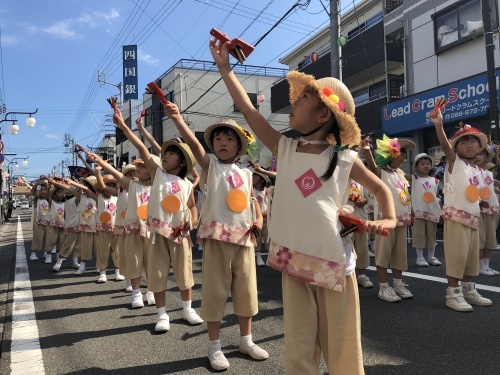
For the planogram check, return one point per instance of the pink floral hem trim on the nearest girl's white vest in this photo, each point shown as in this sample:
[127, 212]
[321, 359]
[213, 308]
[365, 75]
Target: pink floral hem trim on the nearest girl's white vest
[301, 266]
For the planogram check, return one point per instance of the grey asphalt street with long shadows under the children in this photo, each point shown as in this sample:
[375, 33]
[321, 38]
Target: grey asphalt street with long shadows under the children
[89, 328]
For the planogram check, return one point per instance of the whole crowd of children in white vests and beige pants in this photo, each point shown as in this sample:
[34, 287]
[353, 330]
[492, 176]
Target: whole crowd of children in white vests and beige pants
[143, 214]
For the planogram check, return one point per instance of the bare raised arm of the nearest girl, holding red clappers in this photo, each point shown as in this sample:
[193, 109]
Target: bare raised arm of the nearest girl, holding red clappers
[260, 126]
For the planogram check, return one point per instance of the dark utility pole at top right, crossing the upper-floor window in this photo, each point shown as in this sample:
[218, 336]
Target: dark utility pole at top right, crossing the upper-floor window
[490, 64]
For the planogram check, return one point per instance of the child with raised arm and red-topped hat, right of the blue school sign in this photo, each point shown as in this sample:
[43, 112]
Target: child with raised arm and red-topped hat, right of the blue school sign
[461, 212]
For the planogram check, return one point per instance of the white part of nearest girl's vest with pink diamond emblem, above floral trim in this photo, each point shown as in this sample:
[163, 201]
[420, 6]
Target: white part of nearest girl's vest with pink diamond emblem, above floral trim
[305, 209]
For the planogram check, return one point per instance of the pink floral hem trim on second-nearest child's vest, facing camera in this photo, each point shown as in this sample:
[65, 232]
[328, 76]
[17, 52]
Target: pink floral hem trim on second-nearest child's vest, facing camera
[226, 233]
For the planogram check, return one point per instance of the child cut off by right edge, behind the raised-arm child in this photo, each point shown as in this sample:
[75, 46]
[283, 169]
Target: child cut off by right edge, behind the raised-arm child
[490, 210]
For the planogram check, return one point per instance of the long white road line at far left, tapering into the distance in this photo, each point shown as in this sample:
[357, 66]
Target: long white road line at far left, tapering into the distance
[26, 355]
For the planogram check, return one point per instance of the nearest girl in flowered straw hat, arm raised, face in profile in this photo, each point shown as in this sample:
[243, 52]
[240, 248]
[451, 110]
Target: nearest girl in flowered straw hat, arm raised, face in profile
[320, 293]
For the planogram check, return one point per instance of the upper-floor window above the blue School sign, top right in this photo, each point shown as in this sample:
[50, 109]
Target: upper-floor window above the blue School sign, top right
[461, 22]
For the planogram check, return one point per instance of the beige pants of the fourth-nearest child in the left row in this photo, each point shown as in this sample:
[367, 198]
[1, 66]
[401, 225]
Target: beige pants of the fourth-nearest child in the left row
[136, 252]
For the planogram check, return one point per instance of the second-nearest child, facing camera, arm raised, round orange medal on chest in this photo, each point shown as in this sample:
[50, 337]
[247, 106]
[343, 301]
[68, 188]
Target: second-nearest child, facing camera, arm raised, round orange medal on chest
[229, 214]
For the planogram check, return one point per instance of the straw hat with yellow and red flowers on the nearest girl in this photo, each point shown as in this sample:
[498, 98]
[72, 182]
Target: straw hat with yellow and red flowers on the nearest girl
[336, 96]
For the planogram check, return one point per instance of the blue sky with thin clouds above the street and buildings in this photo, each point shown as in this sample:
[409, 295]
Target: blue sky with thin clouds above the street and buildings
[50, 51]
